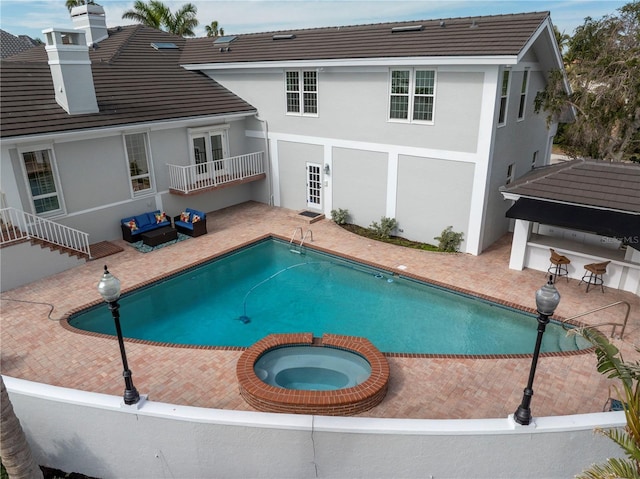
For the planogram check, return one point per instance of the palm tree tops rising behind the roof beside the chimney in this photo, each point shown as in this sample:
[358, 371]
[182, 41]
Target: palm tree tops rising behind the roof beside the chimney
[156, 14]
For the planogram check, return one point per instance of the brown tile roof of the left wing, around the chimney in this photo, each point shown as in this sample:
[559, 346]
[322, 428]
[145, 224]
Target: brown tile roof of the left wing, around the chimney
[134, 83]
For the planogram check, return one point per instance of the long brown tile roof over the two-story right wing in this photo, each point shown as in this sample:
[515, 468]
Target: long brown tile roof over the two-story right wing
[470, 36]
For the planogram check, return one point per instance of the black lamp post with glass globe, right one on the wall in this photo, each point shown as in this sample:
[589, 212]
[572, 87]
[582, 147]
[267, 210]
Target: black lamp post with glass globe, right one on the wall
[547, 300]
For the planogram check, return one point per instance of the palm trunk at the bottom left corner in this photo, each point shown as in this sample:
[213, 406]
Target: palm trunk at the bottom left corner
[14, 448]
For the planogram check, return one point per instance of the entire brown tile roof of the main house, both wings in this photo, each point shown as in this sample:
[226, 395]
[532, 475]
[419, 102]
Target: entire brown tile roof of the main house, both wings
[135, 83]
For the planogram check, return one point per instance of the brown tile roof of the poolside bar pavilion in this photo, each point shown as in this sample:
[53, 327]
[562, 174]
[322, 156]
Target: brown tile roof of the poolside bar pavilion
[584, 182]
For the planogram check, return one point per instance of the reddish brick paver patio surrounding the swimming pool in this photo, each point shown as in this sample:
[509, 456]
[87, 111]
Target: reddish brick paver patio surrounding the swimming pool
[37, 348]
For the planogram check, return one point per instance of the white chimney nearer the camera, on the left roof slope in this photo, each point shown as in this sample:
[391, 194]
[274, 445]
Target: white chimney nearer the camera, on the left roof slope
[71, 70]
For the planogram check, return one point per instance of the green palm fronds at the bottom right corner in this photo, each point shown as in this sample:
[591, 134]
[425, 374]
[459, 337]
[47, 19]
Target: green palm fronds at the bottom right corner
[610, 362]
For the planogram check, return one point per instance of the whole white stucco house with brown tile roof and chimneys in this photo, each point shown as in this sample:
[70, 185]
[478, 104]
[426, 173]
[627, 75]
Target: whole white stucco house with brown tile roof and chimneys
[418, 121]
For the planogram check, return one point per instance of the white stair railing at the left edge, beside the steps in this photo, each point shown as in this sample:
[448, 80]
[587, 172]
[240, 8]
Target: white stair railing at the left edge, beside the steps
[16, 225]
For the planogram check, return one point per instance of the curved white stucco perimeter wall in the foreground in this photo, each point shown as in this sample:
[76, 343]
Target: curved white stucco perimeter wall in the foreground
[96, 435]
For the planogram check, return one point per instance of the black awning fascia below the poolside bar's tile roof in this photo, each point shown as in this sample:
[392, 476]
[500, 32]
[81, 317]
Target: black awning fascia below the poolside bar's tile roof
[624, 226]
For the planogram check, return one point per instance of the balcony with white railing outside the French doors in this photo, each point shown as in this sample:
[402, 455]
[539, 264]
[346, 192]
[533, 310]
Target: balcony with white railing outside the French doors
[207, 176]
